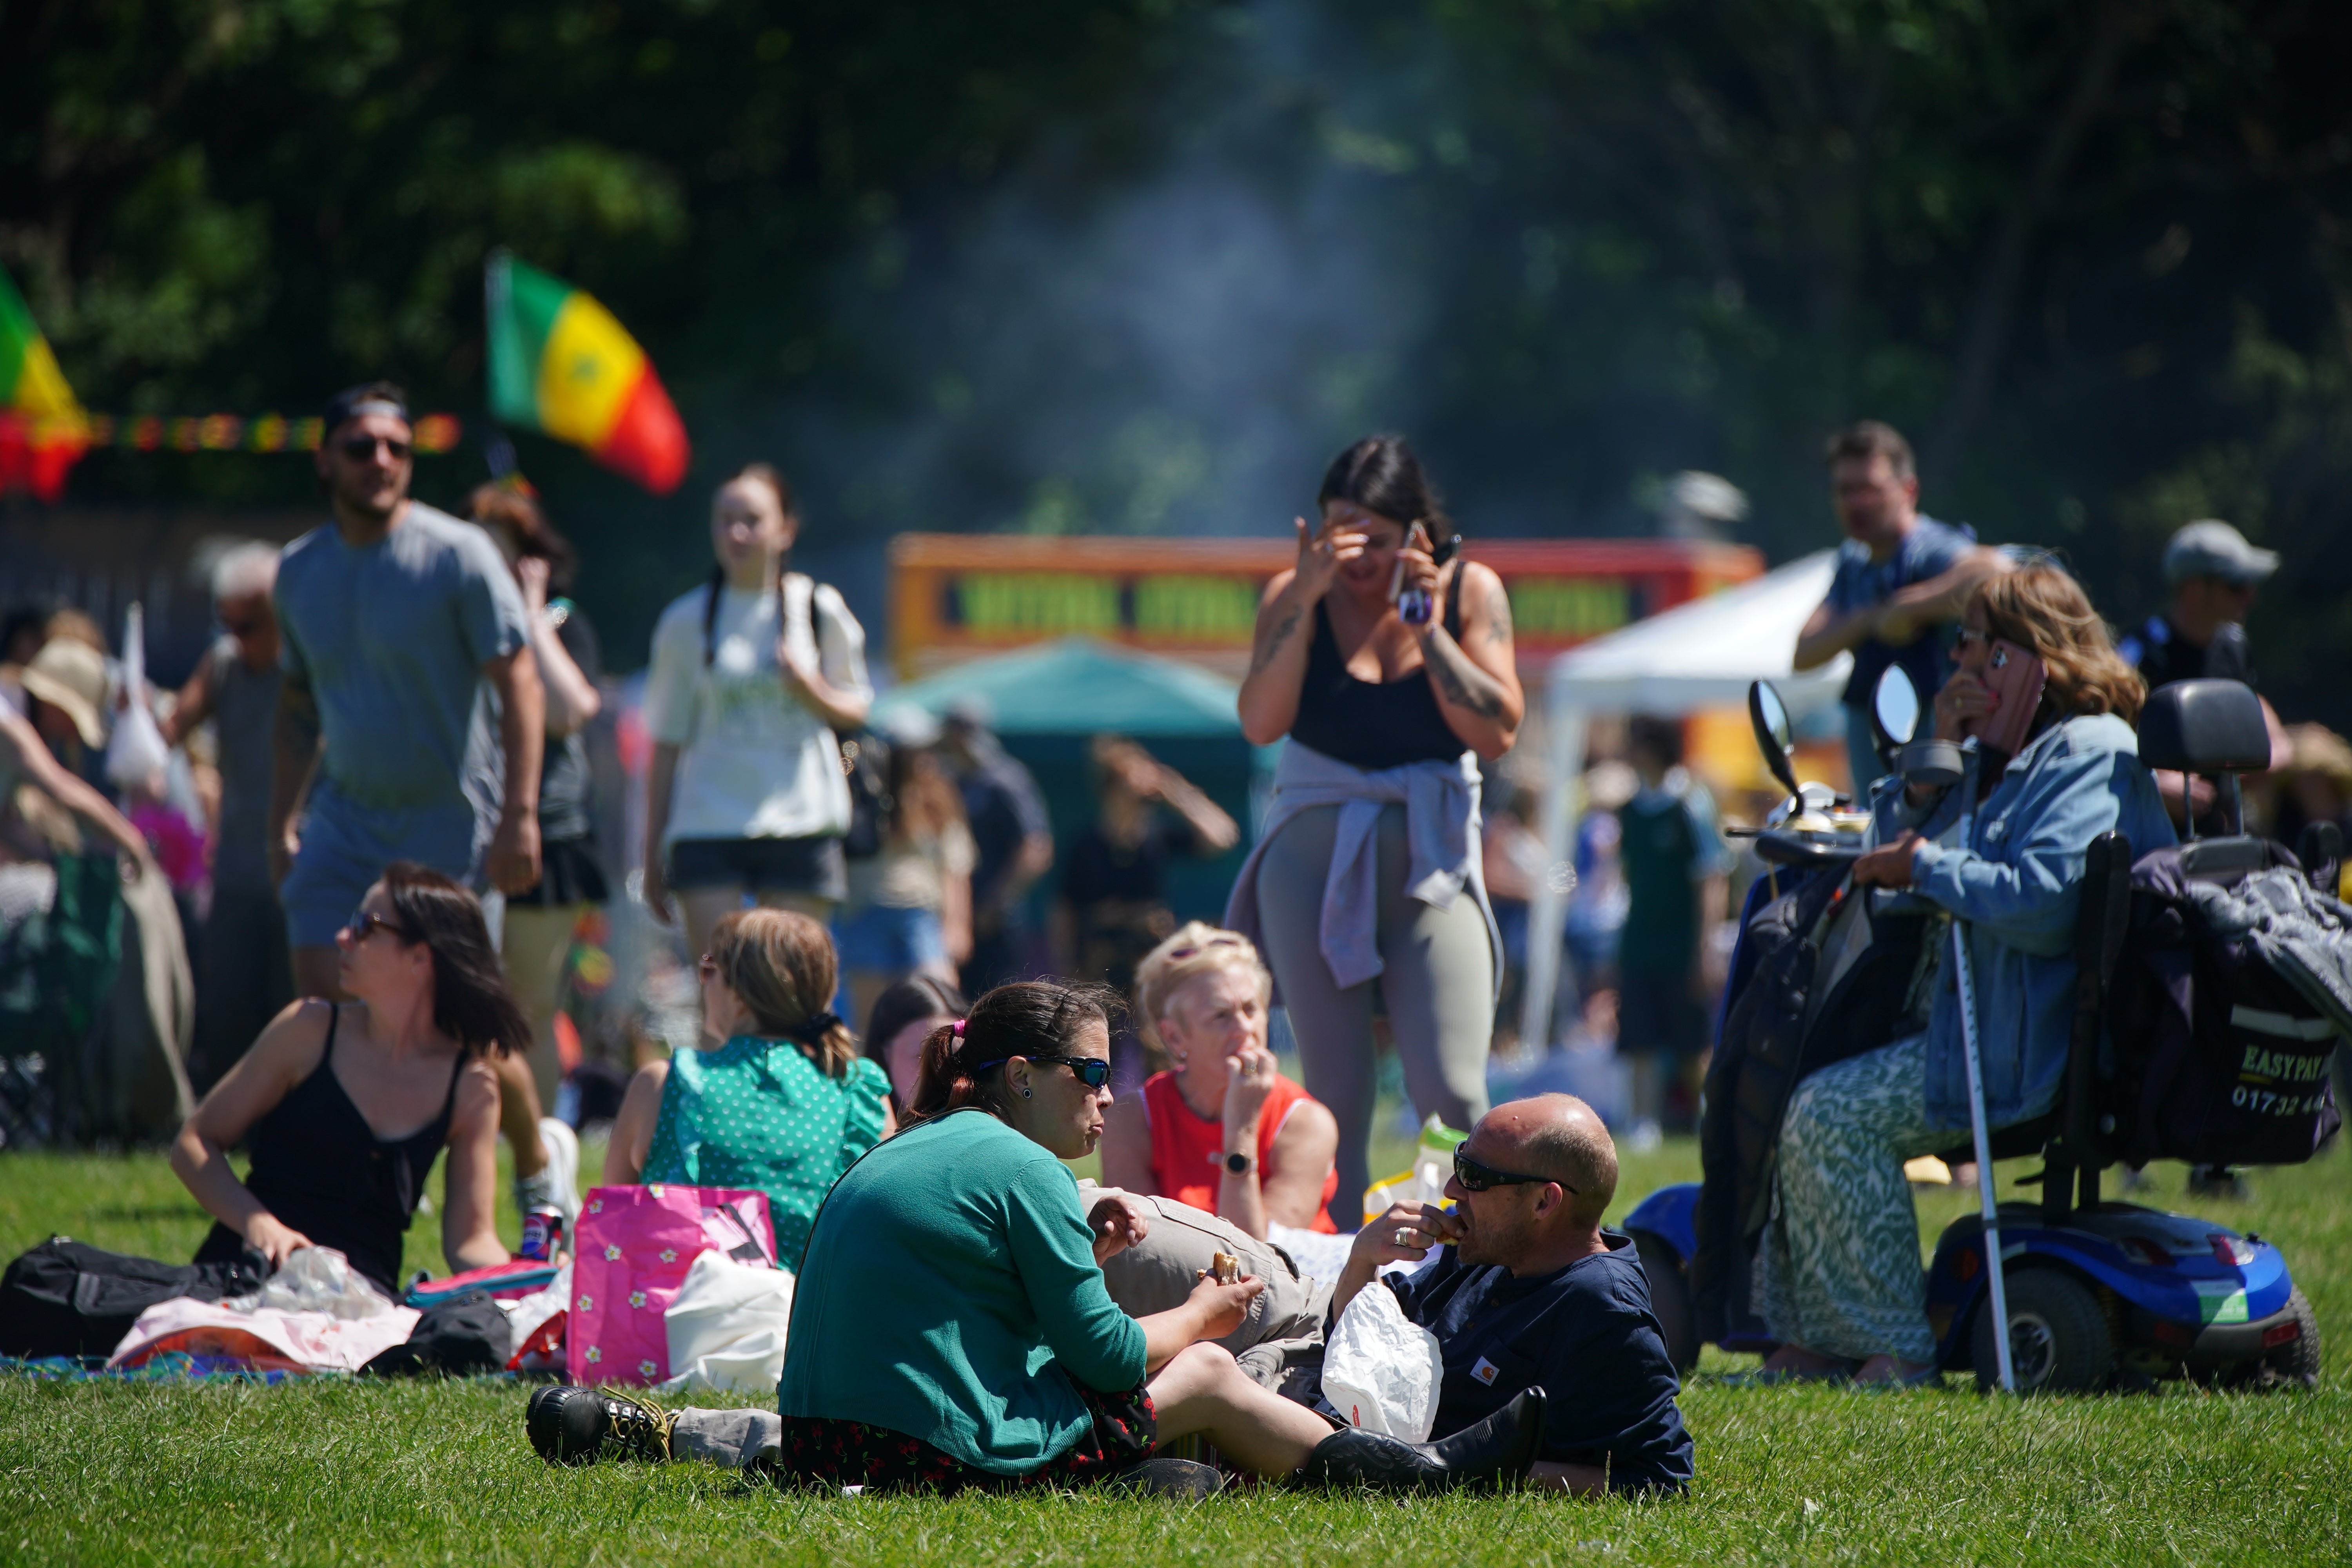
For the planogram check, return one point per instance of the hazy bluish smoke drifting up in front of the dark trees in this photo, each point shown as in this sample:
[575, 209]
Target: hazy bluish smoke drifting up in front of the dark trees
[1170, 354]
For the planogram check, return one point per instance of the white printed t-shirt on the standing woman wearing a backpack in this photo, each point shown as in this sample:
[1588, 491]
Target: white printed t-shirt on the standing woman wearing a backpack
[754, 760]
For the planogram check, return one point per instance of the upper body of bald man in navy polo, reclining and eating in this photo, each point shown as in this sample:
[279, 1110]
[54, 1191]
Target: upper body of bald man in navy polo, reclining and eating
[1530, 1292]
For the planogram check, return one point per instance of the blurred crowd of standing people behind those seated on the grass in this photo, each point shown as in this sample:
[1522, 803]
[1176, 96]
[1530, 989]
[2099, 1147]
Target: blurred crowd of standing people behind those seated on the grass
[410, 685]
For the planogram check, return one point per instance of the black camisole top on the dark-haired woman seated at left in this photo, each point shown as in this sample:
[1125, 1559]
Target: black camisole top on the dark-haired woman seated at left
[323, 1172]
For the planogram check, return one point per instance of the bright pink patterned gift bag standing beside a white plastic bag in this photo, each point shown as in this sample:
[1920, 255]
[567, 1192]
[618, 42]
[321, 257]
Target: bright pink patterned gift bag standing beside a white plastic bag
[632, 1252]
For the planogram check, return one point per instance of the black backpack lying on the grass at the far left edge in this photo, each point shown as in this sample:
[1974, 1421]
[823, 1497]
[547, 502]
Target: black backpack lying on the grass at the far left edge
[69, 1299]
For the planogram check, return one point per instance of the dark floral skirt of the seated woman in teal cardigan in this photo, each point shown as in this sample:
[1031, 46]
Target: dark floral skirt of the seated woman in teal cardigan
[829, 1452]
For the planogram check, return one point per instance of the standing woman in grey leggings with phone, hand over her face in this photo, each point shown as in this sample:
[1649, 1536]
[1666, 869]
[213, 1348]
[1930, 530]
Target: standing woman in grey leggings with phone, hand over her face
[1389, 666]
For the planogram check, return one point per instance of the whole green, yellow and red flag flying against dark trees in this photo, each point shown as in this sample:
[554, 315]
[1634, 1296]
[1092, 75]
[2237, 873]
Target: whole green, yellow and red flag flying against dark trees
[561, 363]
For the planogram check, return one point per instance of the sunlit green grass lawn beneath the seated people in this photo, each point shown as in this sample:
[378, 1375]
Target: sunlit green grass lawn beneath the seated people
[335, 1470]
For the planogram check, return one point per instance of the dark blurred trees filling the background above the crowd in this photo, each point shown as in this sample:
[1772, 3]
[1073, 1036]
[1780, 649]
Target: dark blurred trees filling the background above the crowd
[2090, 253]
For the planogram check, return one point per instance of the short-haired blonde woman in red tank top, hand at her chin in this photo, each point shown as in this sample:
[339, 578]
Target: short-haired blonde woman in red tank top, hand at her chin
[1222, 1130]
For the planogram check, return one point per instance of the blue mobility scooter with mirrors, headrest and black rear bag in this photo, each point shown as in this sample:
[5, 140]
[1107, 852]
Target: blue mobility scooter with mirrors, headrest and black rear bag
[2097, 1294]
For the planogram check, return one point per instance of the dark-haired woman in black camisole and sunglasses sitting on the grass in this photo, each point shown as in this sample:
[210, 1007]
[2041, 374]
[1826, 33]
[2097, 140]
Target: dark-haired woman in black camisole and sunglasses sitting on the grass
[347, 1104]
